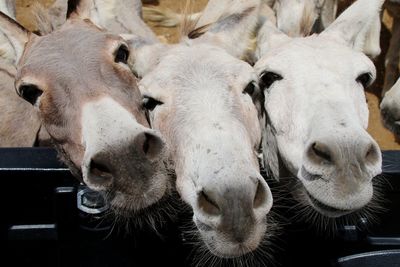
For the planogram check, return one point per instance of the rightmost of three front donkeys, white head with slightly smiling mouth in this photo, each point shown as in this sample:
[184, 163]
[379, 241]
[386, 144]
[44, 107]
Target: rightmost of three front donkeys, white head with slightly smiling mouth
[317, 114]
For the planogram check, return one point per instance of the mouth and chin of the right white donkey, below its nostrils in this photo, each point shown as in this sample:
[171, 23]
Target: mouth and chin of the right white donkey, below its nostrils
[336, 195]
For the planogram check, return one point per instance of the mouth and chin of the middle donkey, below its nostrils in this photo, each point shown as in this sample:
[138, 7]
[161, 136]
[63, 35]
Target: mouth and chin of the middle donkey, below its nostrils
[222, 245]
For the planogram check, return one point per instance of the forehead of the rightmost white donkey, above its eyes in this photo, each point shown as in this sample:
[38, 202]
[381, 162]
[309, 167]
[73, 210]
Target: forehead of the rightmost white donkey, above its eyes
[317, 56]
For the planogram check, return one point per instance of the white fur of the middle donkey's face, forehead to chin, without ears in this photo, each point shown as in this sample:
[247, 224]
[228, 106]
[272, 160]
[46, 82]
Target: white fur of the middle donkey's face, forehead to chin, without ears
[211, 146]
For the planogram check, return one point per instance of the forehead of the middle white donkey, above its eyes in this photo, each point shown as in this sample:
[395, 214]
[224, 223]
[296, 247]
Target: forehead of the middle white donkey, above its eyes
[192, 67]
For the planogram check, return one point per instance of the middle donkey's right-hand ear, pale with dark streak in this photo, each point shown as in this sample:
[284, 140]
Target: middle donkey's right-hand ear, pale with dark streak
[228, 25]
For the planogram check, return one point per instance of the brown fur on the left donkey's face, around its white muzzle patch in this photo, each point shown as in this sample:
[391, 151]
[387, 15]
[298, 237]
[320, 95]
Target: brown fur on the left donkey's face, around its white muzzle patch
[84, 75]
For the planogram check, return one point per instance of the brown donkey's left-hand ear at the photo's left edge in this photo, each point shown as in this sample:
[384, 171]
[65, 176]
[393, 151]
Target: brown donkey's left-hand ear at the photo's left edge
[15, 34]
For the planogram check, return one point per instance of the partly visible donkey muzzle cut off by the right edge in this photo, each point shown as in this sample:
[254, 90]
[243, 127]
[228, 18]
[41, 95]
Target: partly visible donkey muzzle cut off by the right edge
[390, 109]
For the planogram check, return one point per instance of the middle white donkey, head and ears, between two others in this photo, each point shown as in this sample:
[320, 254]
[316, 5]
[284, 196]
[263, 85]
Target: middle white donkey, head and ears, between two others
[205, 102]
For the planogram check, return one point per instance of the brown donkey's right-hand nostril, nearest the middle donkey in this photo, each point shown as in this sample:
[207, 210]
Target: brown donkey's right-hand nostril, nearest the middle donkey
[150, 144]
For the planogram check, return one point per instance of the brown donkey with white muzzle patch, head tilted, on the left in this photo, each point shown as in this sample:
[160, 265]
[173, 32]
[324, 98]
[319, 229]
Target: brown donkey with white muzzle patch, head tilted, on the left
[79, 83]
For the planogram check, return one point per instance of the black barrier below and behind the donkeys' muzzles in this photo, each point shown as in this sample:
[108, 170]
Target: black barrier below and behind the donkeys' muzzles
[49, 219]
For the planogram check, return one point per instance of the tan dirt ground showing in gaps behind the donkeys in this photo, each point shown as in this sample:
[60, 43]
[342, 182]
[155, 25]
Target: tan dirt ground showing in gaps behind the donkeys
[385, 138]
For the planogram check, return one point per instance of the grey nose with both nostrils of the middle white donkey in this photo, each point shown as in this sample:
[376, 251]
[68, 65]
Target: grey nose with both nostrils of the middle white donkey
[236, 209]
